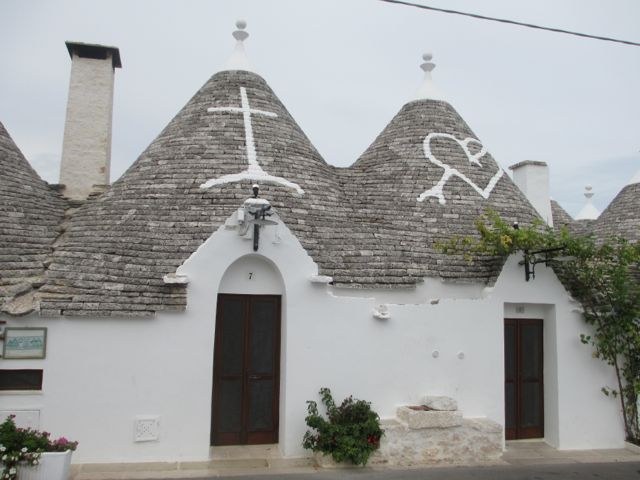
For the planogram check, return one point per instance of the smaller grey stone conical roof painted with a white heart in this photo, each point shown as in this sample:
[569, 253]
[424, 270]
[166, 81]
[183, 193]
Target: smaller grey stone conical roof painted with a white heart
[431, 178]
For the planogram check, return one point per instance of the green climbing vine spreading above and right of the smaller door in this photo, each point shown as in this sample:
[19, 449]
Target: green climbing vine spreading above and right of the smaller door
[603, 276]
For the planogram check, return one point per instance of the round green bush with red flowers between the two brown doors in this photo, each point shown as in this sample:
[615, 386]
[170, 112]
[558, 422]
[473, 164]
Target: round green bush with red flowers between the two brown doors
[351, 433]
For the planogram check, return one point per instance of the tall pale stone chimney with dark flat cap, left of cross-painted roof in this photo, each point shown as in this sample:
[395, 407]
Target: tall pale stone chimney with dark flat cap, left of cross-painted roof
[86, 147]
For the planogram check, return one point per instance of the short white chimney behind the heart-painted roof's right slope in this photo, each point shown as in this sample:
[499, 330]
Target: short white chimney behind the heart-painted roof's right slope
[532, 177]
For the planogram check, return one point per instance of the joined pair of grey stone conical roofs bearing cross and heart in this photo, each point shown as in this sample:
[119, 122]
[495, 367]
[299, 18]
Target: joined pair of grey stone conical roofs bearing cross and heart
[370, 225]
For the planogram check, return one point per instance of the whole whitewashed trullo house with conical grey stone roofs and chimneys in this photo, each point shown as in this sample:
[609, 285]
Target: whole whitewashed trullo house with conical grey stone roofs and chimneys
[231, 272]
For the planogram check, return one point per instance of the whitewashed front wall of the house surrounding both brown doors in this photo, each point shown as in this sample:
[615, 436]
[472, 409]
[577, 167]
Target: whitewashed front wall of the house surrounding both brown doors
[100, 374]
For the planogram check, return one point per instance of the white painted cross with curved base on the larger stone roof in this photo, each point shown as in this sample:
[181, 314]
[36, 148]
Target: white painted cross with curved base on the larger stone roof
[254, 171]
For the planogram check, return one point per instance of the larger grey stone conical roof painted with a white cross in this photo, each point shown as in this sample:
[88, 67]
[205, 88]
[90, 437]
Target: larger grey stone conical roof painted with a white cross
[118, 248]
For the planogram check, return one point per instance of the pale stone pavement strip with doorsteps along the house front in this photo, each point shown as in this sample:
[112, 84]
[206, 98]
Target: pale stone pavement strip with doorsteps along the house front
[266, 460]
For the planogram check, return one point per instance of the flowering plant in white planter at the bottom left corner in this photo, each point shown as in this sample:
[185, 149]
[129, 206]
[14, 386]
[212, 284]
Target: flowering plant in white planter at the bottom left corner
[33, 454]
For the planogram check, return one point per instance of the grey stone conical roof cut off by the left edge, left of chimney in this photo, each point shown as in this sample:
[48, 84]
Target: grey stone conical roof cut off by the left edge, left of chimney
[30, 217]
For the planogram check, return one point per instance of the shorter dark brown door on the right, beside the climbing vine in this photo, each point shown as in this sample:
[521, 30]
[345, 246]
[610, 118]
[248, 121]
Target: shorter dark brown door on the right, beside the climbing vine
[523, 389]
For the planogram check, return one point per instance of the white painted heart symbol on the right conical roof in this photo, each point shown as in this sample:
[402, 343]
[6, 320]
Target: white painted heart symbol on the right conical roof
[437, 190]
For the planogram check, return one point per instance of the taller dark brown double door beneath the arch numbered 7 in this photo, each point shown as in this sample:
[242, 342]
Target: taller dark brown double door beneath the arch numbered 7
[246, 370]
